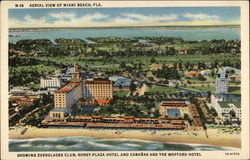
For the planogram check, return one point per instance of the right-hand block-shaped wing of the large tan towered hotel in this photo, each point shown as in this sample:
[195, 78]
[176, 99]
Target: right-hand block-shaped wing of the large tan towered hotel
[98, 89]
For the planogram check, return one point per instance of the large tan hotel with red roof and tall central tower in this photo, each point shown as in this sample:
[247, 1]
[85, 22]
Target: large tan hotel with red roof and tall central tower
[93, 92]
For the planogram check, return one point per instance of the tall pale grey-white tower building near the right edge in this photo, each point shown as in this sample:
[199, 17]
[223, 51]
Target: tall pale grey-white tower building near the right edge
[221, 83]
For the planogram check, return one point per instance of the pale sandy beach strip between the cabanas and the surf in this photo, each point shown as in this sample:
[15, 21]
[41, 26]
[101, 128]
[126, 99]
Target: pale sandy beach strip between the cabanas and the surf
[215, 136]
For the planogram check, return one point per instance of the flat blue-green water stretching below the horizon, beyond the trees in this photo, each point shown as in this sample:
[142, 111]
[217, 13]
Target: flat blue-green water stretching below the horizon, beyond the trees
[187, 33]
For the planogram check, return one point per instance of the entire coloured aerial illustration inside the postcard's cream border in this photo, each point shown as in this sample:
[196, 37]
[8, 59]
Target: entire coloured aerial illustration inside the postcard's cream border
[125, 79]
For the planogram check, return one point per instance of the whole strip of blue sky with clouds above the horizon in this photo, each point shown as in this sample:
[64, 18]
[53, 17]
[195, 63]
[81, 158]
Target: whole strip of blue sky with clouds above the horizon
[115, 17]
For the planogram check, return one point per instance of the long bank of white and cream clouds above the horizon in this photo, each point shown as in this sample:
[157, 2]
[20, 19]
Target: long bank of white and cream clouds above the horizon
[71, 19]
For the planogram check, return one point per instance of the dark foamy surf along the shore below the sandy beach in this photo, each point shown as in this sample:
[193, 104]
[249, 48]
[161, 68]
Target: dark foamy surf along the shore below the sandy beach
[93, 144]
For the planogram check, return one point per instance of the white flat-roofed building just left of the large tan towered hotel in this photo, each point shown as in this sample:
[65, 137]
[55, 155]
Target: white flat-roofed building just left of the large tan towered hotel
[51, 82]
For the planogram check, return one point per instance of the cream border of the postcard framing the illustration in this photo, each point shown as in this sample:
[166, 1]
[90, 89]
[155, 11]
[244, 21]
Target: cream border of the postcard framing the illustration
[244, 152]
